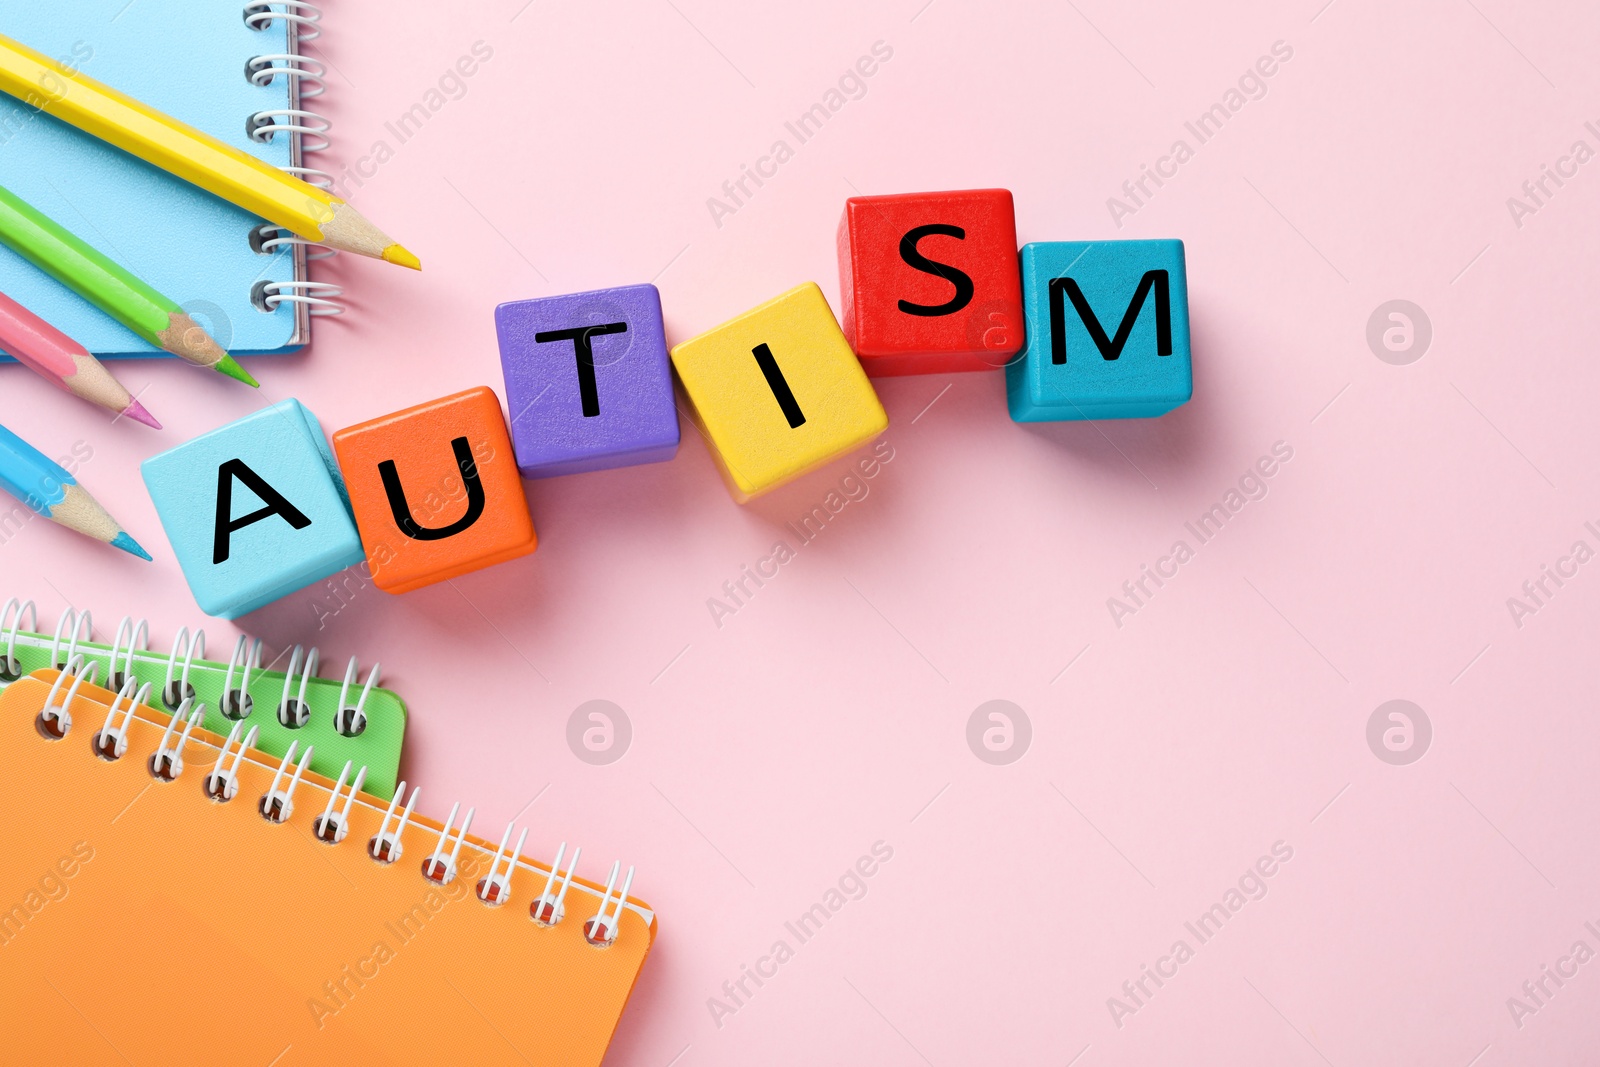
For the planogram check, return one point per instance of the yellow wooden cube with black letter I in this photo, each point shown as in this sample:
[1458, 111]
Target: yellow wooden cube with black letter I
[778, 393]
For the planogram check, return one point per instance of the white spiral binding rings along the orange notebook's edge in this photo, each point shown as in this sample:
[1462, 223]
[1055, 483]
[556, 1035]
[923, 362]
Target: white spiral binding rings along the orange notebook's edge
[332, 828]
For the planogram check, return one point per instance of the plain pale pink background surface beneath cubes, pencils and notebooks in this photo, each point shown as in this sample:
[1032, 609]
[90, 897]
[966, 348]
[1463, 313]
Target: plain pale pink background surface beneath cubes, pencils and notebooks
[831, 711]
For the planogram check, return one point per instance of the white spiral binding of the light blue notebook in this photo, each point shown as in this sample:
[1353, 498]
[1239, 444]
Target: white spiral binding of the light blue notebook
[308, 132]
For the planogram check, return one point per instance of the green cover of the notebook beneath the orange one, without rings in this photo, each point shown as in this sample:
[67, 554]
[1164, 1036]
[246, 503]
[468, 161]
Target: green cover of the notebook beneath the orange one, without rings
[377, 748]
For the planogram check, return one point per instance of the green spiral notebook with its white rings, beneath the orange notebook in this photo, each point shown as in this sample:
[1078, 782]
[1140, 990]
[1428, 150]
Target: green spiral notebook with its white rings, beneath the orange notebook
[340, 719]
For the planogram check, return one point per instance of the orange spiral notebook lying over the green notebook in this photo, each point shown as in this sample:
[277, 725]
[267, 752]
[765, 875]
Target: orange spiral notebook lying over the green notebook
[161, 905]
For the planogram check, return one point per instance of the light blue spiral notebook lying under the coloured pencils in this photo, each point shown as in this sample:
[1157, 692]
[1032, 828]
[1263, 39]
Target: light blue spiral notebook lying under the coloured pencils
[225, 66]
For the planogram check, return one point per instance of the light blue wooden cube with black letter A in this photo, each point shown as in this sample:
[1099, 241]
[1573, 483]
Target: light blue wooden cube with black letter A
[255, 511]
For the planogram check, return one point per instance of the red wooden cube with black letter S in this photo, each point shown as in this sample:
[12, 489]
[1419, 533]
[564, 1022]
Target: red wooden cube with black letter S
[930, 282]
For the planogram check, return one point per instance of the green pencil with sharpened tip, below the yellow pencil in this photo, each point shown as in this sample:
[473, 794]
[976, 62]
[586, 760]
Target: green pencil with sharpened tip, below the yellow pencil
[110, 287]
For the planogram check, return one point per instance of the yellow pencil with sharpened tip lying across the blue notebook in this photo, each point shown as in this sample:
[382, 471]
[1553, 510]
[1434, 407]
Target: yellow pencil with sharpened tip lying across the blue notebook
[198, 158]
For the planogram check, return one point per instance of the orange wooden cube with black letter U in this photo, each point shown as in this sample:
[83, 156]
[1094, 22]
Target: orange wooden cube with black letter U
[436, 490]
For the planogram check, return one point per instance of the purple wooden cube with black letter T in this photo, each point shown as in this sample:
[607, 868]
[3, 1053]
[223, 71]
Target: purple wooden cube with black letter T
[588, 382]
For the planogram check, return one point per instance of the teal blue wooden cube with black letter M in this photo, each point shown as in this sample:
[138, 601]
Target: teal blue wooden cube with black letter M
[1108, 332]
